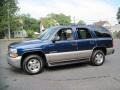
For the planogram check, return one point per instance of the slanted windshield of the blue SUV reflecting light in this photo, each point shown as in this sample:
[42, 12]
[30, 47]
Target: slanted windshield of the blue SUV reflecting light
[46, 35]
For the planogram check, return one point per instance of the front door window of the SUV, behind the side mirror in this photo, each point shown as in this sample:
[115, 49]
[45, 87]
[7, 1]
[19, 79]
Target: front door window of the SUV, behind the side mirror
[65, 34]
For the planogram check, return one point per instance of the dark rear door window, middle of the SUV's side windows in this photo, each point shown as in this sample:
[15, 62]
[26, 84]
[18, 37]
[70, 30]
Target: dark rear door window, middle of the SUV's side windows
[83, 33]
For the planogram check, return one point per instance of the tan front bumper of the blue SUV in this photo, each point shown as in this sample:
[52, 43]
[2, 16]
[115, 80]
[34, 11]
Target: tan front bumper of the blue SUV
[15, 62]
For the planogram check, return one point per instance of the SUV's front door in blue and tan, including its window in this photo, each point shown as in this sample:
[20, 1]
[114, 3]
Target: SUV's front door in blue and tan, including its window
[63, 49]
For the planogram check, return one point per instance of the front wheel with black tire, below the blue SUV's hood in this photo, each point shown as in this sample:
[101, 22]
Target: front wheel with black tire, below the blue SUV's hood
[33, 64]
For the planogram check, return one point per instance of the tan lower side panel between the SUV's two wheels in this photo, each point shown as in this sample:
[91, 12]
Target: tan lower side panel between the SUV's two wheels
[63, 56]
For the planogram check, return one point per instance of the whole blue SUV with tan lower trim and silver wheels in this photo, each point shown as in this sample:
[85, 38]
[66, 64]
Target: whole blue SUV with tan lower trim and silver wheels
[61, 45]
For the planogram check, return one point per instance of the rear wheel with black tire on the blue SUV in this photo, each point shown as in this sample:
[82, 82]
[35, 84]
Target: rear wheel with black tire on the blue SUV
[97, 61]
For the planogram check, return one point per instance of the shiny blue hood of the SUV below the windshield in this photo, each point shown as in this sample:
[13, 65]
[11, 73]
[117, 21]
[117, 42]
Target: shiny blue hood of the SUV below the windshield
[29, 43]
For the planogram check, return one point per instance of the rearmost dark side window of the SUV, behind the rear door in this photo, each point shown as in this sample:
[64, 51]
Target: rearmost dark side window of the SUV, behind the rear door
[102, 33]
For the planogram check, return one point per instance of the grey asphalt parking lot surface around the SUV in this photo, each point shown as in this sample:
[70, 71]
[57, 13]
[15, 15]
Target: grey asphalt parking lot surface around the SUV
[72, 77]
